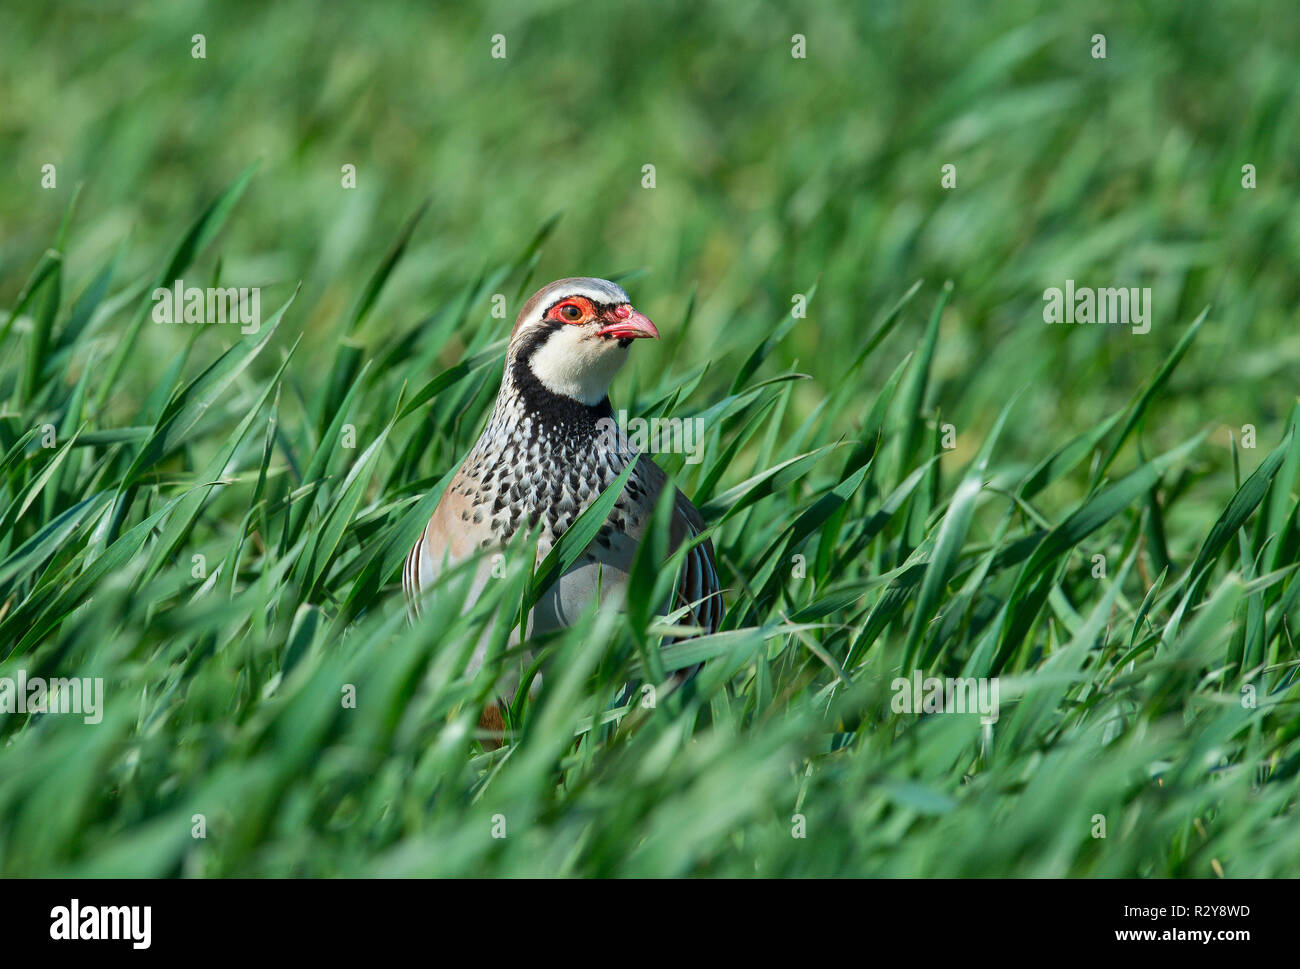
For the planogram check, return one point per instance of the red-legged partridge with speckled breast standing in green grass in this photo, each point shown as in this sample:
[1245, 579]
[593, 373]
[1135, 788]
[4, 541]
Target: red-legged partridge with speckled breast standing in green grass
[545, 455]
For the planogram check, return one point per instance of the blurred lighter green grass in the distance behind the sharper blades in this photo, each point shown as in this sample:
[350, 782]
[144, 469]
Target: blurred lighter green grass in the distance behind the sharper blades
[773, 172]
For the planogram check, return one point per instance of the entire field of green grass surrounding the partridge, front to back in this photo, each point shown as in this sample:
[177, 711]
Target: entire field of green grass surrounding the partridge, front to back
[215, 522]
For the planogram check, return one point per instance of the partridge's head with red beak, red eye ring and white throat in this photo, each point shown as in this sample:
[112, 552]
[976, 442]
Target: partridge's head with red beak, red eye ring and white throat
[574, 336]
